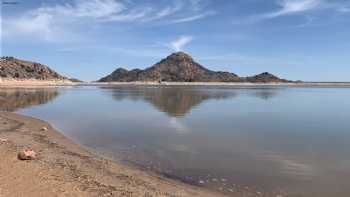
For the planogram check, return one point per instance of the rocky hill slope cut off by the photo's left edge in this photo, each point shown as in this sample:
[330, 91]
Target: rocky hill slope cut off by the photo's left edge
[13, 68]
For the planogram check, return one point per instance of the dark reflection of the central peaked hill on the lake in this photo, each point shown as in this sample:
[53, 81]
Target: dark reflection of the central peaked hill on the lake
[175, 101]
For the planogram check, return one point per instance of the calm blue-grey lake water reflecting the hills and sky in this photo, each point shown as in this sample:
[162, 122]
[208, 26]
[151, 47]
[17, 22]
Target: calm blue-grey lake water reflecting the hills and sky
[274, 141]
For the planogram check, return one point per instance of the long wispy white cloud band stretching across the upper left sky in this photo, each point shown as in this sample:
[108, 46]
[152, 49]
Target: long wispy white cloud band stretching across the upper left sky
[51, 21]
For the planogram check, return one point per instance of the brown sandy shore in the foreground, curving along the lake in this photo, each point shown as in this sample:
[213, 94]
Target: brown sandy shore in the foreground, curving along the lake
[63, 168]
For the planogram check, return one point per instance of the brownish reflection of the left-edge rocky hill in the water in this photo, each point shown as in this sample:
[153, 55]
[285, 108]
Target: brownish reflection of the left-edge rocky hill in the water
[14, 99]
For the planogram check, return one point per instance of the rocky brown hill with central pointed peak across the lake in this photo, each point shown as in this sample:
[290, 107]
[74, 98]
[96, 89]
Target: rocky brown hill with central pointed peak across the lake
[180, 67]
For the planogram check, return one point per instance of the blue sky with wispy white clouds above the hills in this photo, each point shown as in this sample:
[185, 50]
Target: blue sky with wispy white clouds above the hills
[87, 39]
